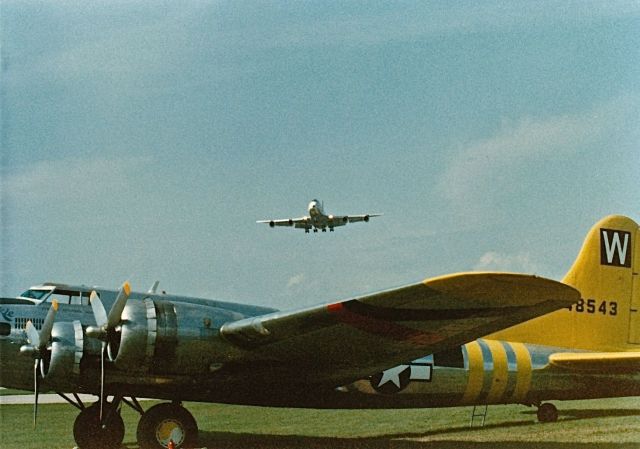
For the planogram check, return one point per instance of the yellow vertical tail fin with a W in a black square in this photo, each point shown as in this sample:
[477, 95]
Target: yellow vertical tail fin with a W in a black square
[607, 318]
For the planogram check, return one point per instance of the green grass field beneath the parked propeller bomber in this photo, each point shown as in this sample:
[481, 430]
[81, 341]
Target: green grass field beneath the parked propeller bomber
[609, 424]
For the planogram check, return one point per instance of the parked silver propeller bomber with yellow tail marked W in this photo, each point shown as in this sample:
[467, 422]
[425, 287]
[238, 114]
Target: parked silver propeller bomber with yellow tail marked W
[467, 339]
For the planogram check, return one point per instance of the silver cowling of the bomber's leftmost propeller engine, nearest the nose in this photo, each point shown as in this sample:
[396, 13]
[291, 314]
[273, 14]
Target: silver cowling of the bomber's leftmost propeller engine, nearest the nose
[61, 366]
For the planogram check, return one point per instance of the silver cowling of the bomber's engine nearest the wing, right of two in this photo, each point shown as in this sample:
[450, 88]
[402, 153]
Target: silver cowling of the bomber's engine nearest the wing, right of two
[131, 347]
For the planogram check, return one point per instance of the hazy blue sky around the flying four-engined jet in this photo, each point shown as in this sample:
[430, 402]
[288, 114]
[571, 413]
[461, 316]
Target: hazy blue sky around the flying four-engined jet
[141, 140]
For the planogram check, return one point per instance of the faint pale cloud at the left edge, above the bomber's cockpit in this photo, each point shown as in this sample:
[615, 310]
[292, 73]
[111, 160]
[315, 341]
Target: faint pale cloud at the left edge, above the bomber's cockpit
[76, 192]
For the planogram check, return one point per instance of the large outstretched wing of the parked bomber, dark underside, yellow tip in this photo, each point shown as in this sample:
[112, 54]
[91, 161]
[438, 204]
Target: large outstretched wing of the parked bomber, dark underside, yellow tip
[340, 342]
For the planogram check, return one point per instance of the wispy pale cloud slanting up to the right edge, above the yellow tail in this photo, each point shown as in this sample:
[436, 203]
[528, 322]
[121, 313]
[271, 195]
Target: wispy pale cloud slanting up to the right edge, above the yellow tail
[487, 172]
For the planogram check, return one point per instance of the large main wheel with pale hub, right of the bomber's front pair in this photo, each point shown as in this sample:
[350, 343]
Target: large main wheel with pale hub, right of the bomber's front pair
[165, 422]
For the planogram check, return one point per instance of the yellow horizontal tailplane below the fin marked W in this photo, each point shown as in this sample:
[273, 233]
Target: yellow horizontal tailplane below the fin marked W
[596, 362]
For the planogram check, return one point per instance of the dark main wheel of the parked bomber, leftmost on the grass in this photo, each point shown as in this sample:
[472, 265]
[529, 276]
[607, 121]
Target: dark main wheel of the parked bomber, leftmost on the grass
[89, 433]
